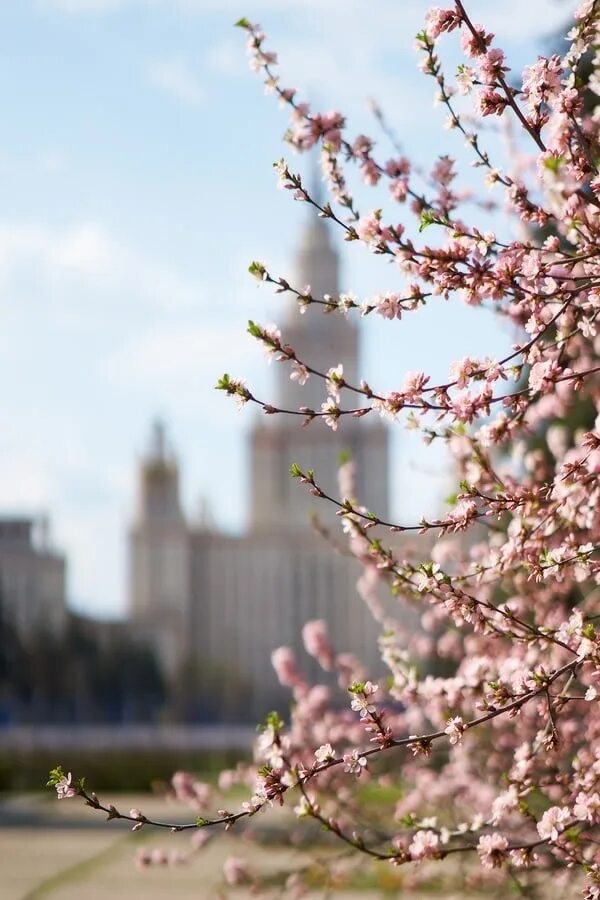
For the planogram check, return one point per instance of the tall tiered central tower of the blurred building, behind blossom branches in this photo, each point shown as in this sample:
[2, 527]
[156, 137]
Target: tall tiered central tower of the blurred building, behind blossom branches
[320, 340]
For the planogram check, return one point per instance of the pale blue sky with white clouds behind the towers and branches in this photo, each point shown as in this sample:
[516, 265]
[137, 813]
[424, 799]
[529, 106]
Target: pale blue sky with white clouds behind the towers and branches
[136, 186]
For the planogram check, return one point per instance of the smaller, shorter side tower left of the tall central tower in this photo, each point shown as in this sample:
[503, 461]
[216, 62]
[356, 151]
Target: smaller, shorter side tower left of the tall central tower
[160, 554]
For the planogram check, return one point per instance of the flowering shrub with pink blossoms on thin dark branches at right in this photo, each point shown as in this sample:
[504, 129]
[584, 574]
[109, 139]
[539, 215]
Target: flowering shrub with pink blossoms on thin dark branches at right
[499, 759]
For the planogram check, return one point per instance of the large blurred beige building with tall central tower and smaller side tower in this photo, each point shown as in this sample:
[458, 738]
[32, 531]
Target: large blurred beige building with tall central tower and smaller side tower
[226, 602]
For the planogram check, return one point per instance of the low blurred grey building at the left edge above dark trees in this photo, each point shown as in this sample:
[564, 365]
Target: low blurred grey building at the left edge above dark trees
[32, 578]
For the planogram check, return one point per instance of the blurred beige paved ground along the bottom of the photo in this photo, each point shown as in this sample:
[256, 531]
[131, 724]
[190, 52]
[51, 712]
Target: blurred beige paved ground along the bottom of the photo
[51, 850]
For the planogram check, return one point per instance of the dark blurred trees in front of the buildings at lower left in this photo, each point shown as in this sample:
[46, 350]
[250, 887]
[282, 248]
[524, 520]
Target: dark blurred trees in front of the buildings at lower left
[97, 673]
